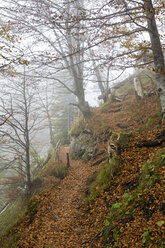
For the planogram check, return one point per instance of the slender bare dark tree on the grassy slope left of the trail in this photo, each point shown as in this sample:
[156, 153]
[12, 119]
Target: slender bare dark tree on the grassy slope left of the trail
[16, 133]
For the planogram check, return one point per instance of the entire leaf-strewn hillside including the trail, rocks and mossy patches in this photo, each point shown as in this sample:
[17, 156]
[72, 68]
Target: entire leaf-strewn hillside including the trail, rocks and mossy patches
[115, 198]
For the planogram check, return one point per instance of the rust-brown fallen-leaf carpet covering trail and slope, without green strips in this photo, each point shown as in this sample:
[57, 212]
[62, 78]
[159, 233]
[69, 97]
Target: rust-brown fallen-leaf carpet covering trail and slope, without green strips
[62, 218]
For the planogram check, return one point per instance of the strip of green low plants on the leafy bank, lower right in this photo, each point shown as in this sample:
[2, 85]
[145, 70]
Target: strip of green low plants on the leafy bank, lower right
[140, 199]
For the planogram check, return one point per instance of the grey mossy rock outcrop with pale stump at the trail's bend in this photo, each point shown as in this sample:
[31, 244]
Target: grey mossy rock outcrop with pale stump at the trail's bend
[84, 145]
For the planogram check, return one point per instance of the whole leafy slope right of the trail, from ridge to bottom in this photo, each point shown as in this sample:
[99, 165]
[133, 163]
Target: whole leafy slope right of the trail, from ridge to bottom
[127, 193]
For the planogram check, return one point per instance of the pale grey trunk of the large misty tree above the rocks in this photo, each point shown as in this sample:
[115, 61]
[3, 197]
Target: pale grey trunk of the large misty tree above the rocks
[76, 58]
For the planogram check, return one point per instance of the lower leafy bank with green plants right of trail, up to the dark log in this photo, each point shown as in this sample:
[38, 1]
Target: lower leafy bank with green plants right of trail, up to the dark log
[130, 198]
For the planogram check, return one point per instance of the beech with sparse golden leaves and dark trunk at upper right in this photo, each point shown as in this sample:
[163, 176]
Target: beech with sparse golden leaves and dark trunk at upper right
[125, 22]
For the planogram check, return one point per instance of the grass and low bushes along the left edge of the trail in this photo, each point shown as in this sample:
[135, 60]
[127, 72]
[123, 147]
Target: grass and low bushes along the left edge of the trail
[19, 208]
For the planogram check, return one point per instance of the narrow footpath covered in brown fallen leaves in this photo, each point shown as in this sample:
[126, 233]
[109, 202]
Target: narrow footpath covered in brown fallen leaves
[56, 223]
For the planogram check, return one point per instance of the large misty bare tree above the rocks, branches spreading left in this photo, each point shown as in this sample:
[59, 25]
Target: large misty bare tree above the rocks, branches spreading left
[60, 28]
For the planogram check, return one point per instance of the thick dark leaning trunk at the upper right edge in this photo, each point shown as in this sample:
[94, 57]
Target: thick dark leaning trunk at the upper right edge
[157, 51]
